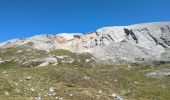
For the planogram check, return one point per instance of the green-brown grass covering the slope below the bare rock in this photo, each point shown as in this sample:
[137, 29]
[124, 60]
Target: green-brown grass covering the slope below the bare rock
[79, 80]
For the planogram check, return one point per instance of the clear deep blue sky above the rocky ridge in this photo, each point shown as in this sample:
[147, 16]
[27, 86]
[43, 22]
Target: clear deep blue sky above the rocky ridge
[25, 18]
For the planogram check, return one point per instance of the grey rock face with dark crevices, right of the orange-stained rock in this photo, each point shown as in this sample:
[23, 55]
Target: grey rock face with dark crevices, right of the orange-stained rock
[147, 41]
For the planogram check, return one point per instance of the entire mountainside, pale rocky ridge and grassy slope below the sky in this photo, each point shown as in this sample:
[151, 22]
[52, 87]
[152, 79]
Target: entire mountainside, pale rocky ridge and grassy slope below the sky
[113, 63]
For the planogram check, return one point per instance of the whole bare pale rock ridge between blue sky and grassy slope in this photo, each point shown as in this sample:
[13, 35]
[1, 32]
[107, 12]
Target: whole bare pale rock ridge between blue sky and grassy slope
[148, 41]
